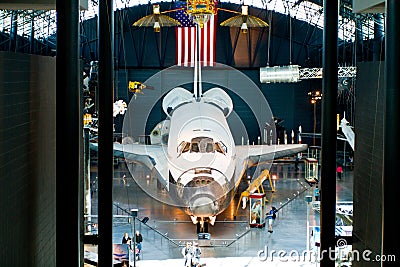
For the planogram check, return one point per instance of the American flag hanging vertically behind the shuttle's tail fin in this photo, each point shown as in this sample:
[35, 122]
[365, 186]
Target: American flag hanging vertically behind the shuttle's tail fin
[186, 39]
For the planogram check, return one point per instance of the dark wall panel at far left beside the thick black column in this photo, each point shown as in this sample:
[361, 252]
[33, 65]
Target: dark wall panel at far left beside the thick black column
[27, 160]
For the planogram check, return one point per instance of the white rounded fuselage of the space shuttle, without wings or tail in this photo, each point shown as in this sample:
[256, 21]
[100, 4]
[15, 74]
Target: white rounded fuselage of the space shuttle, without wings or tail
[201, 158]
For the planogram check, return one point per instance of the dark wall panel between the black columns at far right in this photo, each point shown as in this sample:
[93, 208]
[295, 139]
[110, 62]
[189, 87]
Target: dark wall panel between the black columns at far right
[368, 158]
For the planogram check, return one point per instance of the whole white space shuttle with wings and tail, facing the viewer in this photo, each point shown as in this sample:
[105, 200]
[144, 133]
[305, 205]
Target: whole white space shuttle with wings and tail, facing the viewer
[196, 159]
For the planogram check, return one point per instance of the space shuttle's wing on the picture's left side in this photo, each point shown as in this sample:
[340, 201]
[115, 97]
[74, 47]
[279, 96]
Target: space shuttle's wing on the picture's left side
[152, 156]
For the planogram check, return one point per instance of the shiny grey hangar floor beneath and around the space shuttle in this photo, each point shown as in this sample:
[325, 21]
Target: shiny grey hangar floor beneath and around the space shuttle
[168, 228]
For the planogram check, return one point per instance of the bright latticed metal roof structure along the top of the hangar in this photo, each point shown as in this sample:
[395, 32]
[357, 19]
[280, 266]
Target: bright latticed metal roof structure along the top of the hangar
[311, 11]
